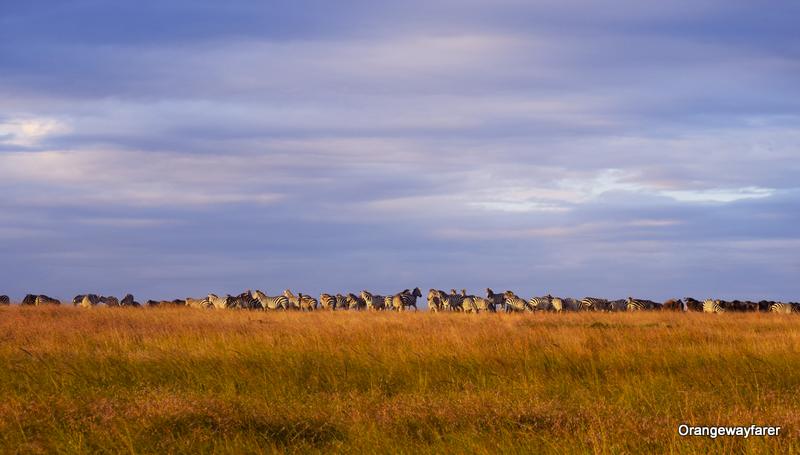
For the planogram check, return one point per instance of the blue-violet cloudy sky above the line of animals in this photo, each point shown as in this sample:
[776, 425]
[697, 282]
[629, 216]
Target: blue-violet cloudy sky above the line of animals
[604, 148]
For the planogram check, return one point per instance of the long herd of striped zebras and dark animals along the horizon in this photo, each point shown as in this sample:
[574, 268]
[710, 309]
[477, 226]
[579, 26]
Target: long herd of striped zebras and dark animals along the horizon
[438, 301]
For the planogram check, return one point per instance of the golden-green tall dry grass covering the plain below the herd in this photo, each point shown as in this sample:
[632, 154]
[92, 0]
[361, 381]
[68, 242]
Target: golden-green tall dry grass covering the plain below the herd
[182, 380]
